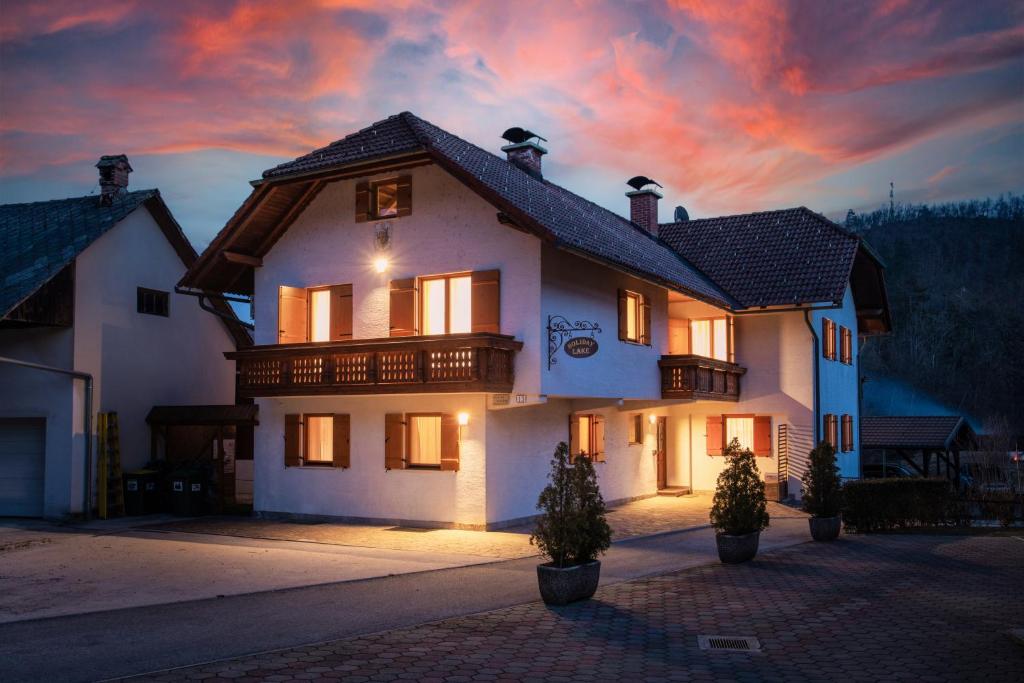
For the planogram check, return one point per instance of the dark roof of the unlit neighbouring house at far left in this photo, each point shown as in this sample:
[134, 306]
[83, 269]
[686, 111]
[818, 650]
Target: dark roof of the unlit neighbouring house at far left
[39, 239]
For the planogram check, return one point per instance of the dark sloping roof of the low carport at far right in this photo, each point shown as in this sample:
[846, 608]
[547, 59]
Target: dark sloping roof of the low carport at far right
[938, 433]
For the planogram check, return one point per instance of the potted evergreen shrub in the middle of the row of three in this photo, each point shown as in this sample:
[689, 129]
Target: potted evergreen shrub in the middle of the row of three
[740, 511]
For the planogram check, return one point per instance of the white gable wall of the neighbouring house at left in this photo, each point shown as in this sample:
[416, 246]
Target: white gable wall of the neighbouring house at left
[141, 361]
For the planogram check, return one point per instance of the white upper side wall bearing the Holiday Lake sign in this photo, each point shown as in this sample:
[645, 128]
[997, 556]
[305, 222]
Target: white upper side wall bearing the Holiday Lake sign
[581, 290]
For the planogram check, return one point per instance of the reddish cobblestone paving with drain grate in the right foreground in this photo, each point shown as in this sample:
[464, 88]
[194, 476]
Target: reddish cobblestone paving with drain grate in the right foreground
[872, 609]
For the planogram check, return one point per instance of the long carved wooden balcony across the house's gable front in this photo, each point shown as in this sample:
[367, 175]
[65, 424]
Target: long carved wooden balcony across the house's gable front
[401, 365]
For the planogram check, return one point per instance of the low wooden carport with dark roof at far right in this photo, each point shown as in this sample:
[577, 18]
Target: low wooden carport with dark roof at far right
[938, 439]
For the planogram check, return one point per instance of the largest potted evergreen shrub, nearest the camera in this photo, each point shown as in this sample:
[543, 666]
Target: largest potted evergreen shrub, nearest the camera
[572, 531]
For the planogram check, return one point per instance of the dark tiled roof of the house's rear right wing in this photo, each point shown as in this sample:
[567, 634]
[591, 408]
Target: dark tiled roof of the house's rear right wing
[772, 259]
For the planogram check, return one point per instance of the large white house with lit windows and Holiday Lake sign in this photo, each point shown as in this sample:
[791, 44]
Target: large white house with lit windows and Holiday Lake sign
[433, 320]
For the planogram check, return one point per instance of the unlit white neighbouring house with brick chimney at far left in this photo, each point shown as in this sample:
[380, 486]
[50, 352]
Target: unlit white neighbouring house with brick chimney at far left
[88, 286]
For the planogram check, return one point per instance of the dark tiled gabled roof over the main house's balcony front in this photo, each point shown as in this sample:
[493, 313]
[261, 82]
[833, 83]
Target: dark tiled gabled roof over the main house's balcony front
[556, 215]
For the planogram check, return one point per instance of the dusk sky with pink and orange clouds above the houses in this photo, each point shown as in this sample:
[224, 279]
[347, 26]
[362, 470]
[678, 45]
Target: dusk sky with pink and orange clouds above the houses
[734, 106]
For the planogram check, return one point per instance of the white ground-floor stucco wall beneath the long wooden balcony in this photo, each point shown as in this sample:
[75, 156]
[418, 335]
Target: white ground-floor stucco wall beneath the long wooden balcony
[366, 490]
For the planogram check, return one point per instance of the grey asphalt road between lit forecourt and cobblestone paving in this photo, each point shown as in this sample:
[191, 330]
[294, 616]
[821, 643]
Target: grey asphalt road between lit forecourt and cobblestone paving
[124, 643]
